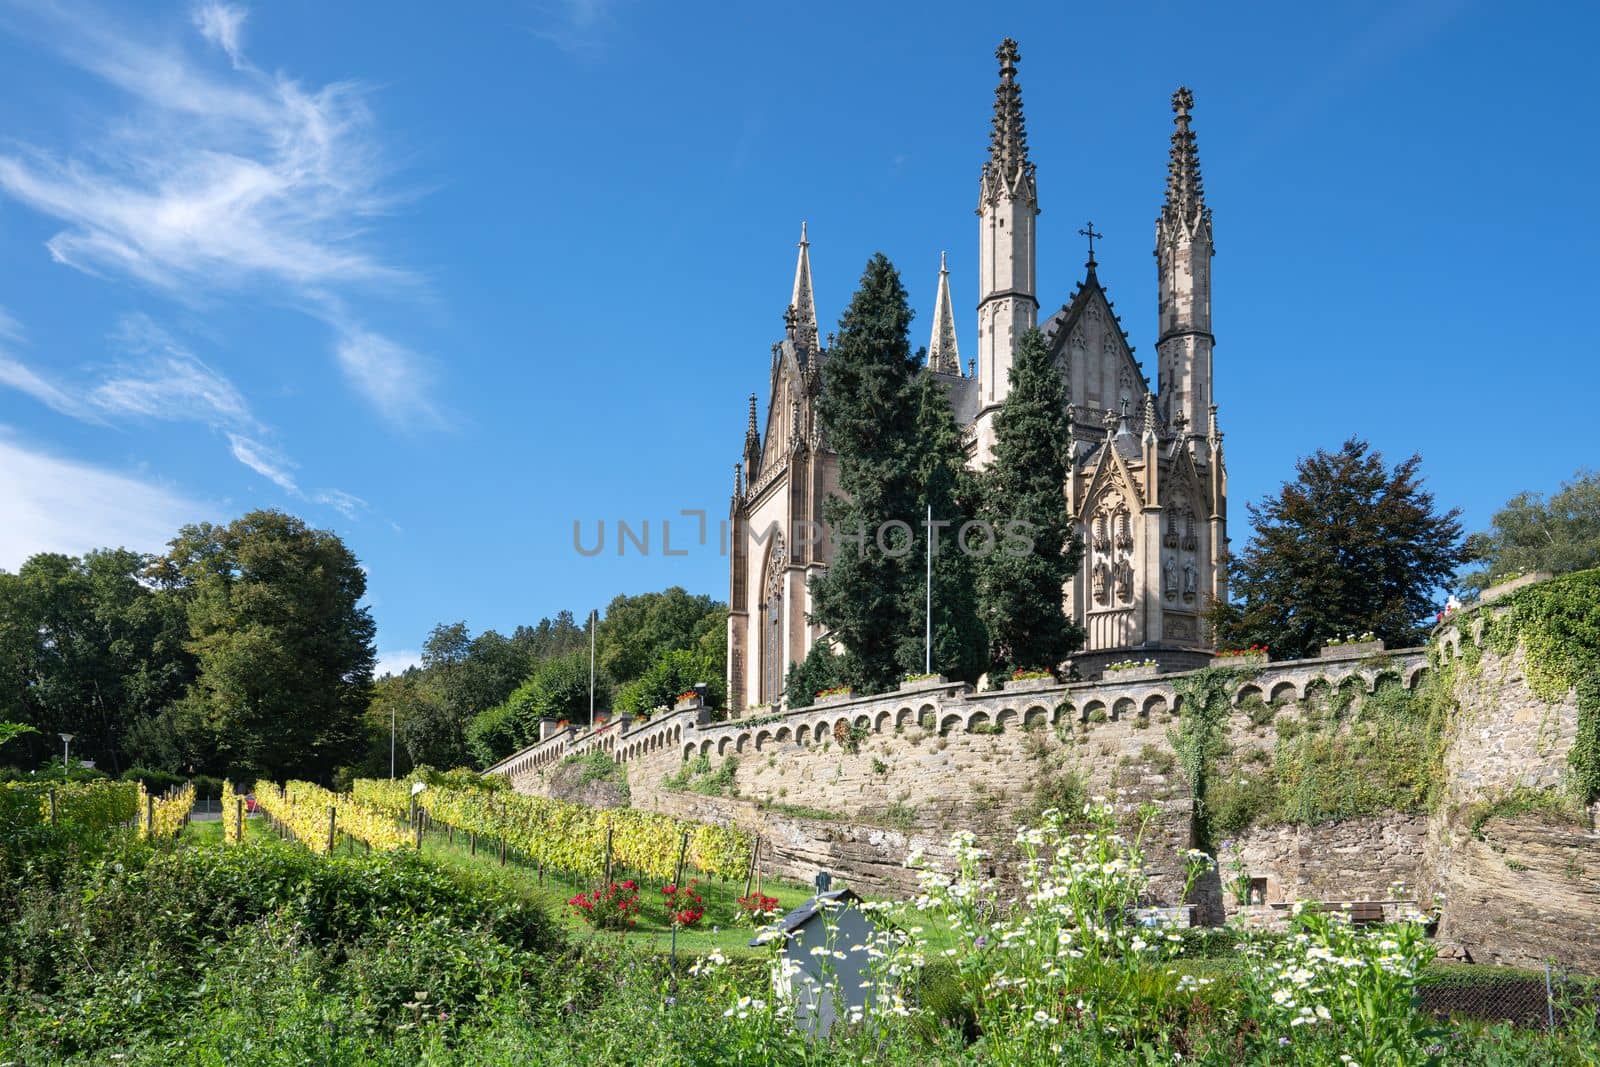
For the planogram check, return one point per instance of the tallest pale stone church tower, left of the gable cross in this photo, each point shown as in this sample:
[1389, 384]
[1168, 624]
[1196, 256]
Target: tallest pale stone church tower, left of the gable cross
[1007, 252]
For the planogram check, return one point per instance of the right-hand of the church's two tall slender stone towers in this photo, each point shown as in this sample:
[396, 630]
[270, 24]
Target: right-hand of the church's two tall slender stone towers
[1183, 258]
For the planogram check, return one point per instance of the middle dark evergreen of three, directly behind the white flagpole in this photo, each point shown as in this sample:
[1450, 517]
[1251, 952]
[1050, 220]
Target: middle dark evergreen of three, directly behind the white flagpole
[959, 649]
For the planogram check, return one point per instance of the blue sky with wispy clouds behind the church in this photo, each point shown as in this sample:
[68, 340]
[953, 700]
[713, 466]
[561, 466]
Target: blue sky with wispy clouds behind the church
[447, 279]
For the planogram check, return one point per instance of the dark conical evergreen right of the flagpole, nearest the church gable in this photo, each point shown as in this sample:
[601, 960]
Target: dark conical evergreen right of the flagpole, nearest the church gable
[1023, 578]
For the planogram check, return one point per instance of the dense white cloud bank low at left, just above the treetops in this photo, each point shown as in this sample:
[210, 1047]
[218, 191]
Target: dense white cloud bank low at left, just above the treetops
[55, 505]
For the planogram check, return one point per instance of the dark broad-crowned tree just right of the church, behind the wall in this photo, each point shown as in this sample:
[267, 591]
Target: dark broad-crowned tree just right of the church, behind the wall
[1348, 548]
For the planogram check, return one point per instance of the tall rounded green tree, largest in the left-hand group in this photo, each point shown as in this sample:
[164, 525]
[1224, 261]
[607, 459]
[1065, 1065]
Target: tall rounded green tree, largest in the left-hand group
[281, 641]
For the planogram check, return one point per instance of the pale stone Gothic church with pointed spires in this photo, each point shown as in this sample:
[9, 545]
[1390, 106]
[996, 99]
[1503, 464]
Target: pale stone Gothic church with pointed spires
[1146, 486]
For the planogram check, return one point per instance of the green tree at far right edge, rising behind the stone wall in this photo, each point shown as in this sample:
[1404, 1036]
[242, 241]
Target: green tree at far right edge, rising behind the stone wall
[1535, 535]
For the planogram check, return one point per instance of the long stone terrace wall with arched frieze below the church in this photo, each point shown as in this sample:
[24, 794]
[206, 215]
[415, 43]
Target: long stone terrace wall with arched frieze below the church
[854, 786]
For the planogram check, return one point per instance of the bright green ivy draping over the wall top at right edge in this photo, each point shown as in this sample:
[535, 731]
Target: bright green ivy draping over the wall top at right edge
[1558, 623]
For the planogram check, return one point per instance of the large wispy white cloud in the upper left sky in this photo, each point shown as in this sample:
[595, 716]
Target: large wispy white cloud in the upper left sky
[214, 182]
